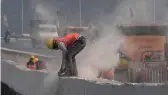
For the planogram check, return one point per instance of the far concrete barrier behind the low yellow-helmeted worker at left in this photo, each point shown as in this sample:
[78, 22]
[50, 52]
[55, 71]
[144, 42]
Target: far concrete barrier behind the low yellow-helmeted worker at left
[22, 56]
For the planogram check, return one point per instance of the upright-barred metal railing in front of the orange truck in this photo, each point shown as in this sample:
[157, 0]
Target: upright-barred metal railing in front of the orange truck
[149, 72]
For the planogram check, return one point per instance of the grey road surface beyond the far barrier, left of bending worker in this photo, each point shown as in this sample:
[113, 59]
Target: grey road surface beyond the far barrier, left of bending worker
[25, 45]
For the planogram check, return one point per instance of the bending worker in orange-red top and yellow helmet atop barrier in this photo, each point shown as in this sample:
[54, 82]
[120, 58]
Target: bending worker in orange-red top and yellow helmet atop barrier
[71, 45]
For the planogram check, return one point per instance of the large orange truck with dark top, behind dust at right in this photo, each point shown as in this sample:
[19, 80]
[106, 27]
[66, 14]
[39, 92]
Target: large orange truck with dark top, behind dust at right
[143, 53]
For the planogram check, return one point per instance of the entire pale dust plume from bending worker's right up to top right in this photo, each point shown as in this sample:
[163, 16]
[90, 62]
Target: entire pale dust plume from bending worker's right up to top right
[103, 54]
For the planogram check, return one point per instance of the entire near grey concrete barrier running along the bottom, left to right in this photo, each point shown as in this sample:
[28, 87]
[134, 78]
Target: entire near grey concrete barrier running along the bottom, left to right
[34, 83]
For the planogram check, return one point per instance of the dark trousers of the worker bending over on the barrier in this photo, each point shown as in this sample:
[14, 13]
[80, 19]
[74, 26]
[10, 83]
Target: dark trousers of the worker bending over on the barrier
[68, 66]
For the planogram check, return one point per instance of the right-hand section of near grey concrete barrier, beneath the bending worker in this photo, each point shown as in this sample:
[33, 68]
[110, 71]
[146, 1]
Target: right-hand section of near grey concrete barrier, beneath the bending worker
[84, 87]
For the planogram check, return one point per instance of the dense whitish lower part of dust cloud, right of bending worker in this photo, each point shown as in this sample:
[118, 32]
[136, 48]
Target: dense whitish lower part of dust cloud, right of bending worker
[100, 56]
